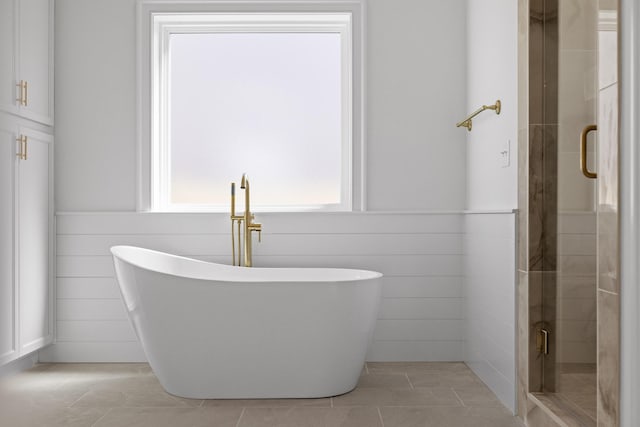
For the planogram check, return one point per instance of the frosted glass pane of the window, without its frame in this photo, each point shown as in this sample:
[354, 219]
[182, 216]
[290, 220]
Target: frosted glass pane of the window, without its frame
[268, 104]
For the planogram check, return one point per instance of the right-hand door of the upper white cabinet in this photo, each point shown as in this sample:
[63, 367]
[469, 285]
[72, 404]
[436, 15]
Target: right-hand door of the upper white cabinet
[35, 64]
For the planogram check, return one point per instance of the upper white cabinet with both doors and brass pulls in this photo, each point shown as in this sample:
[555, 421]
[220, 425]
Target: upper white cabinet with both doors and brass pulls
[26, 59]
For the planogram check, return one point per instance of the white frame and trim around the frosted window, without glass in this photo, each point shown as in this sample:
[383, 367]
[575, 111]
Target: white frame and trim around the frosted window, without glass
[156, 21]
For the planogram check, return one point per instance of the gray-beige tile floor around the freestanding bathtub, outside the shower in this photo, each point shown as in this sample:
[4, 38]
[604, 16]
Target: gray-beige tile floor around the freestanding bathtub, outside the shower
[388, 395]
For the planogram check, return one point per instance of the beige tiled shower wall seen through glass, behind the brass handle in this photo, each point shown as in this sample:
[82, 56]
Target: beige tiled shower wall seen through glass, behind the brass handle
[577, 102]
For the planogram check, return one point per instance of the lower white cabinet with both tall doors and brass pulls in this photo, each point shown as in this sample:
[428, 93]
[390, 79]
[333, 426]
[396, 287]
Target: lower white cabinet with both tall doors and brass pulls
[26, 230]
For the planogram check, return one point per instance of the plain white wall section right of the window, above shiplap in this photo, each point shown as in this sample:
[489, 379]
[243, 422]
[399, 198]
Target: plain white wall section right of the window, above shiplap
[416, 93]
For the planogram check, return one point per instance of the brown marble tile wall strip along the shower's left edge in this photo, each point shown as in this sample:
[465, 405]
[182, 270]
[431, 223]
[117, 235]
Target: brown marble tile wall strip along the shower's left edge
[537, 194]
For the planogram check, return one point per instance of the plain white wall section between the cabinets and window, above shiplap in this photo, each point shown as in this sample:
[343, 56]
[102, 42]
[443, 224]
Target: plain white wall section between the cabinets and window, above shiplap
[95, 155]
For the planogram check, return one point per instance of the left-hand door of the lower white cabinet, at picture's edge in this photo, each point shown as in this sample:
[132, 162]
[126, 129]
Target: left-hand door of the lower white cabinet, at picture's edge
[8, 330]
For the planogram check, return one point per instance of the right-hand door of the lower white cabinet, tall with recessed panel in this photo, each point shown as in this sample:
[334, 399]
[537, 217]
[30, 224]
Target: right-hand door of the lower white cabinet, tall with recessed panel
[34, 216]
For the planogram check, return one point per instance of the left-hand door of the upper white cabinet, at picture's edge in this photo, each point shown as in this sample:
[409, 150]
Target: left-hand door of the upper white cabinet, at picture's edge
[8, 90]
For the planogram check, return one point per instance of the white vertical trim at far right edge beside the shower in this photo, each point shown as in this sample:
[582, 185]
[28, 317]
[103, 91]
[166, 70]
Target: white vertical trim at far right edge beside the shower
[629, 211]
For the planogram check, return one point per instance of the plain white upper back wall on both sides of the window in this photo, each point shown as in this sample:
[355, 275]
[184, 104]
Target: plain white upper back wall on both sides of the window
[415, 94]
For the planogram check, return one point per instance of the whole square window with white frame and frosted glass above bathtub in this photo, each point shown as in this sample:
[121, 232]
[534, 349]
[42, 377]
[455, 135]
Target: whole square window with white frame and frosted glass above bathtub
[266, 93]
